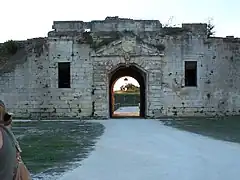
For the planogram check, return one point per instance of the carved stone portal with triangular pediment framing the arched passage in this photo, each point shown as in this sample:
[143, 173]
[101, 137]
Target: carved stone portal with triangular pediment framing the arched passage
[127, 57]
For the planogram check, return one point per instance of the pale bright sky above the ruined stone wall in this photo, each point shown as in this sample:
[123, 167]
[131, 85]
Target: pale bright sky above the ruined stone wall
[23, 19]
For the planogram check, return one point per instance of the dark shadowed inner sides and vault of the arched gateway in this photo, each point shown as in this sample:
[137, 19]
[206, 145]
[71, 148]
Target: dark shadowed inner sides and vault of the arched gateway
[136, 73]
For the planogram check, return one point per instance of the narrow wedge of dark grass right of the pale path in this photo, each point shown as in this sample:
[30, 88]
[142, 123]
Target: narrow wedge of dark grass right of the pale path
[223, 128]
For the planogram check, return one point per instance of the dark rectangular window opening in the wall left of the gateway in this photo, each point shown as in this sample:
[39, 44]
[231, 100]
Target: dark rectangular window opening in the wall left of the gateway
[64, 75]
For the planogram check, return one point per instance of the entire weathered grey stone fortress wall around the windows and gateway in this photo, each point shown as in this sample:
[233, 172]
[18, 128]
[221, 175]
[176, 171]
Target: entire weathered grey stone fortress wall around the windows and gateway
[29, 78]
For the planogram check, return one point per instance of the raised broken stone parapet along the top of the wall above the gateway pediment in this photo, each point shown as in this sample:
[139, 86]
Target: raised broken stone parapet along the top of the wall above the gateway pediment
[116, 24]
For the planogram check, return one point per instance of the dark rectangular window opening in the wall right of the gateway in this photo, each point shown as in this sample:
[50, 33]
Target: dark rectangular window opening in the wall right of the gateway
[190, 73]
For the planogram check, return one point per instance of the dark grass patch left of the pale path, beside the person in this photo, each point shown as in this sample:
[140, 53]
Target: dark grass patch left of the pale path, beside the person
[53, 147]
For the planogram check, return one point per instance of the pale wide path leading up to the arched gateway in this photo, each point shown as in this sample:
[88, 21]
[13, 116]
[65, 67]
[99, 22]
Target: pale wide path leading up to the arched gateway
[134, 149]
